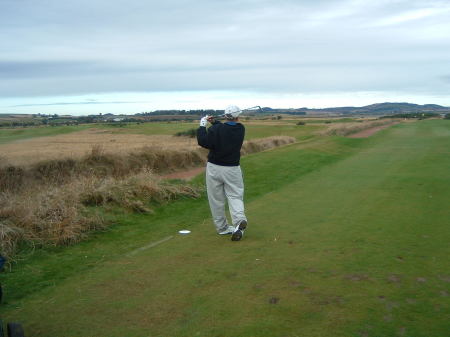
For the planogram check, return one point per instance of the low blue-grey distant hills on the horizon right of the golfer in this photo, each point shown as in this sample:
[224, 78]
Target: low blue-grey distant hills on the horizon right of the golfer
[373, 109]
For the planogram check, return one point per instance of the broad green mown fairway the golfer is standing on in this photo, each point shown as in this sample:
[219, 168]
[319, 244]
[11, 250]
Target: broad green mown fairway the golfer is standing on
[347, 237]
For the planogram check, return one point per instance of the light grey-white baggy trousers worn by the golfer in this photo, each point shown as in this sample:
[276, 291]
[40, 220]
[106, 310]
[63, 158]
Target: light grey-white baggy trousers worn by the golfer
[225, 183]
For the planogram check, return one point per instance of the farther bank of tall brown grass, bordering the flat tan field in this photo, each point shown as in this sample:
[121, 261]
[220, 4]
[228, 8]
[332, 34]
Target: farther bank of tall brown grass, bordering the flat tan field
[97, 163]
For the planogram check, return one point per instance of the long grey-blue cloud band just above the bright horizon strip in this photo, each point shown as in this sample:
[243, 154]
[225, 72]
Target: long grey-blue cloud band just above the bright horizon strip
[288, 79]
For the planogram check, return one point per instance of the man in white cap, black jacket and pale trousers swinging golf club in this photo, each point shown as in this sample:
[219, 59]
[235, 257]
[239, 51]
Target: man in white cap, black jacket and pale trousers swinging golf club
[223, 173]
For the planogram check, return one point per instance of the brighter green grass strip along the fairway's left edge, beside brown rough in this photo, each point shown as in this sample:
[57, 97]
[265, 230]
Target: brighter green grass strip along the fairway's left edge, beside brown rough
[135, 227]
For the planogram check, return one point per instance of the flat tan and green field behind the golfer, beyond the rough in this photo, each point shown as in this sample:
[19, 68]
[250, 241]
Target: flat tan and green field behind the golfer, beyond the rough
[30, 145]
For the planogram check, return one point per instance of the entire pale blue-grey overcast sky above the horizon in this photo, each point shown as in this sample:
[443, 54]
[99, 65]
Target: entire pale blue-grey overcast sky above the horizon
[91, 56]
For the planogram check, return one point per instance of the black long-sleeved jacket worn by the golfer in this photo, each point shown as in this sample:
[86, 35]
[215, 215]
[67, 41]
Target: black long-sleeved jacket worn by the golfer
[224, 142]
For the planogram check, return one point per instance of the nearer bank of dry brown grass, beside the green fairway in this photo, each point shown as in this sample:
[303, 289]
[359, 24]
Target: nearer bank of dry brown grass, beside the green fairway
[59, 215]
